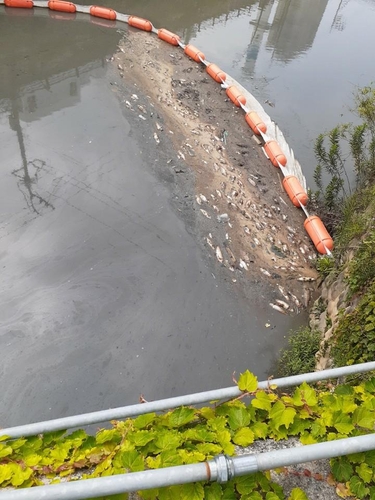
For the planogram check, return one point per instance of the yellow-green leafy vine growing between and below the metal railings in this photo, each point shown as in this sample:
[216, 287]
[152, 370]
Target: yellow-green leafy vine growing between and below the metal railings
[187, 435]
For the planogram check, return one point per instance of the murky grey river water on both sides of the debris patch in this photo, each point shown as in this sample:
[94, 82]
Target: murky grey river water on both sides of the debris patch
[105, 293]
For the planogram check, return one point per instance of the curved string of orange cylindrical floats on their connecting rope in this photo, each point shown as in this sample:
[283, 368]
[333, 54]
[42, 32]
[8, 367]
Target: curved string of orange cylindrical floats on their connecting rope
[297, 194]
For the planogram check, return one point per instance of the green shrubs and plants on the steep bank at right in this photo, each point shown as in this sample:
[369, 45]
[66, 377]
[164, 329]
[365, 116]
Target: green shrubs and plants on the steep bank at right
[345, 200]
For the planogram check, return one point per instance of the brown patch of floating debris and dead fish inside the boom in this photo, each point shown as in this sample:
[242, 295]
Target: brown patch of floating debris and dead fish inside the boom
[245, 220]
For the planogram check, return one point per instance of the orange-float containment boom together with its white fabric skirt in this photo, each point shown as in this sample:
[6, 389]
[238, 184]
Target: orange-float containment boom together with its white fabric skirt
[259, 125]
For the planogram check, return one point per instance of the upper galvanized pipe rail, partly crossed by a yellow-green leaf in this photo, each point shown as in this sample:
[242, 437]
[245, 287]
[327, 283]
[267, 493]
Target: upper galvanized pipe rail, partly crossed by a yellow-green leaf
[166, 404]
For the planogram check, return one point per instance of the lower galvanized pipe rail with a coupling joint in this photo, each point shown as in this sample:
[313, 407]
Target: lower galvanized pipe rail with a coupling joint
[221, 470]
